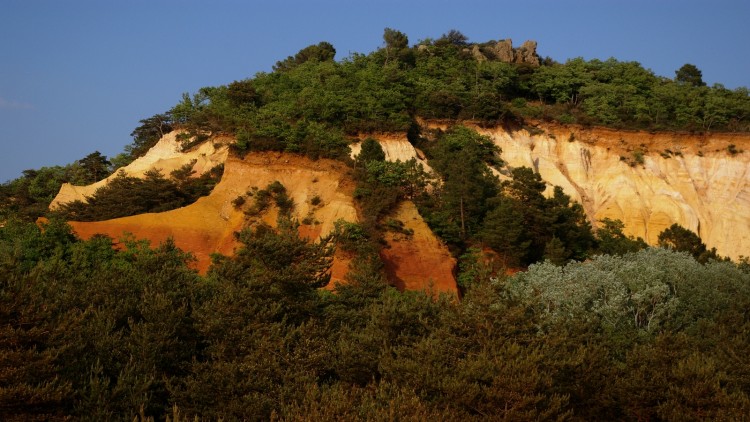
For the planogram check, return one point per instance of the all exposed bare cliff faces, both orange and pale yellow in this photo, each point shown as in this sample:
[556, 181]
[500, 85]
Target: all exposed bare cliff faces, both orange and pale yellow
[649, 181]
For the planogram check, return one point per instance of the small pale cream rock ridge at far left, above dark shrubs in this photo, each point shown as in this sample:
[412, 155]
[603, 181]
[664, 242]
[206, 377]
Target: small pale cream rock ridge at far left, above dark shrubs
[166, 155]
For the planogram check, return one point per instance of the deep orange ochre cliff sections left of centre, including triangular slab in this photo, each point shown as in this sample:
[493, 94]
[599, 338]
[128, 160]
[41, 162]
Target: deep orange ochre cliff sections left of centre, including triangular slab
[417, 262]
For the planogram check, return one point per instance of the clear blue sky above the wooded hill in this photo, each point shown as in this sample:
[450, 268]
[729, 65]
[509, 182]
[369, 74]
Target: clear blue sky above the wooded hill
[76, 76]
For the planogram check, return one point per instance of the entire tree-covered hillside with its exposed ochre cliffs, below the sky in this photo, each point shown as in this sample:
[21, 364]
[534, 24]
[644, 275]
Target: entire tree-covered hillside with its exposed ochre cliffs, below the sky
[481, 212]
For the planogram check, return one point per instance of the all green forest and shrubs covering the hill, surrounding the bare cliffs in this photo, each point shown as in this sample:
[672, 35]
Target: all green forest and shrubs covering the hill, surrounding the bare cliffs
[597, 325]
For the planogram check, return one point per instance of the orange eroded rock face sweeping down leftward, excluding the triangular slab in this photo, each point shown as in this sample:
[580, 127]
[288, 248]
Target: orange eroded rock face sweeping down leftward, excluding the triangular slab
[208, 225]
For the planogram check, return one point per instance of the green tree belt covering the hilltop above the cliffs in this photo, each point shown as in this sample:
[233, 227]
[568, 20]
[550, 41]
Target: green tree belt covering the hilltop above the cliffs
[310, 103]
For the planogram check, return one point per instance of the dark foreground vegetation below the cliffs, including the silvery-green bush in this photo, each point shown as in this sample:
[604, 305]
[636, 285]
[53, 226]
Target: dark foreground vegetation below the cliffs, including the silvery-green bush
[93, 333]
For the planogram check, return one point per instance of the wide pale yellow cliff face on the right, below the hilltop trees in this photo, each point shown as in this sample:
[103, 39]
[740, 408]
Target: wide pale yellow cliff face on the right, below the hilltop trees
[691, 180]
